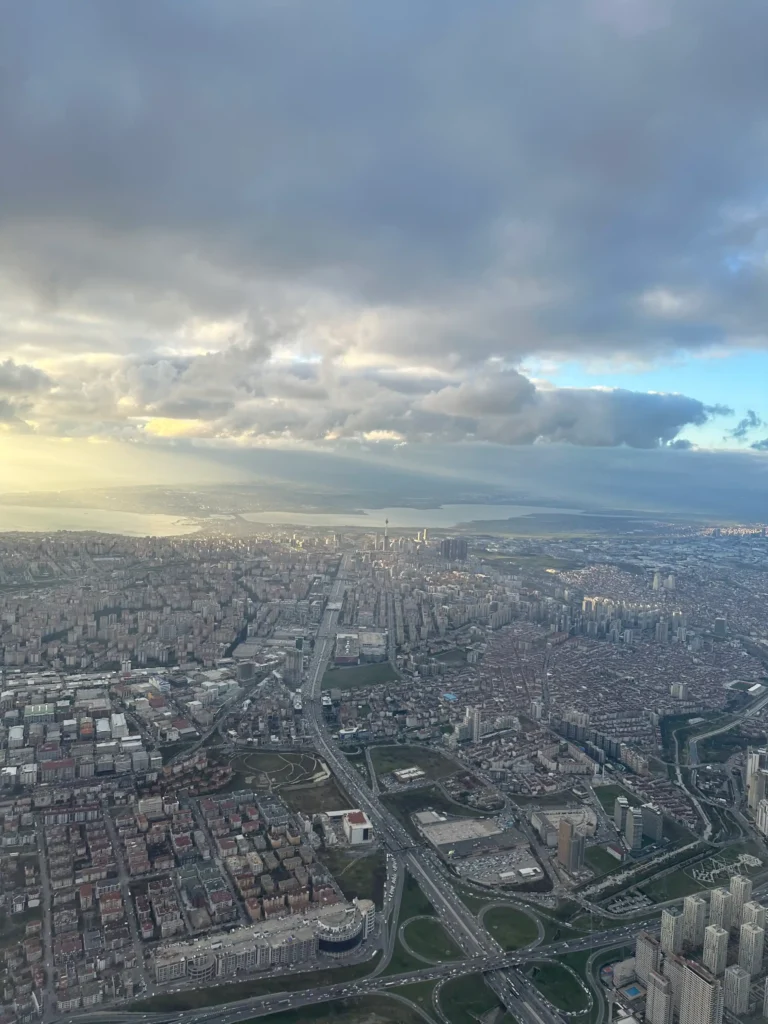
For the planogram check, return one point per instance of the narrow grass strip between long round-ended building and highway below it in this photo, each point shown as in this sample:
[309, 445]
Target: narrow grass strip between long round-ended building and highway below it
[199, 998]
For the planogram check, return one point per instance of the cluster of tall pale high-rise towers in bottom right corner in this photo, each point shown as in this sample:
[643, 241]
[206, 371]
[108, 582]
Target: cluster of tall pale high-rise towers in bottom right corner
[678, 987]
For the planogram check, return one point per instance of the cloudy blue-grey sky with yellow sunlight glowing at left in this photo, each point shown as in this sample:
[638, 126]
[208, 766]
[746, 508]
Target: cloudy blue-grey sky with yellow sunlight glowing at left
[363, 228]
